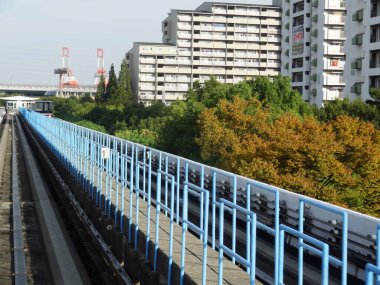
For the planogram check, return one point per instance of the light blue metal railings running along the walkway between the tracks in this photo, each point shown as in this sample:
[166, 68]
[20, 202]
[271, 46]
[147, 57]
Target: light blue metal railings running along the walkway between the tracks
[108, 168]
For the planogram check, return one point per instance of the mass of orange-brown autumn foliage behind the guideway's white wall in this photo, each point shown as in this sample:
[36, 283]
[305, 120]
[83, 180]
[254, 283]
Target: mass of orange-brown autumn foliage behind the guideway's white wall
[338, 161]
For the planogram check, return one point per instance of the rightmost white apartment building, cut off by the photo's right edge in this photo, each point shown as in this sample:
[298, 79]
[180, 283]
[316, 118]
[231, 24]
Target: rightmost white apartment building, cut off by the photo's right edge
[362, 48]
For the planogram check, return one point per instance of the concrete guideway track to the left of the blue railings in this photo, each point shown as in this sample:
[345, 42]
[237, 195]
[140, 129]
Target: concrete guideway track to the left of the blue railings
[39, 243]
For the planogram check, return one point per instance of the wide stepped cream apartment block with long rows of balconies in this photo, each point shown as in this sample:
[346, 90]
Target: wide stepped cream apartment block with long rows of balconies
[233, 42]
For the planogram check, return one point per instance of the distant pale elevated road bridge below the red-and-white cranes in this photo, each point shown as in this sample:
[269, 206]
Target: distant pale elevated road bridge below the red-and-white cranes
[50, 90]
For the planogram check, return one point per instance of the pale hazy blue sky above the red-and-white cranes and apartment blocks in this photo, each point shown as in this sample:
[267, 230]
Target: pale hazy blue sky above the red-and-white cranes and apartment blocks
[33, 32]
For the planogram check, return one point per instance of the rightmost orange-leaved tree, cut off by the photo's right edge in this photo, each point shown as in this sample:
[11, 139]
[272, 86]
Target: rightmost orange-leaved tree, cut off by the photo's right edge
[359, 186]
